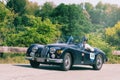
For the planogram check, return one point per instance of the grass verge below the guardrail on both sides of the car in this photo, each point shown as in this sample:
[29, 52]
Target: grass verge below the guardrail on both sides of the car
[13, 58]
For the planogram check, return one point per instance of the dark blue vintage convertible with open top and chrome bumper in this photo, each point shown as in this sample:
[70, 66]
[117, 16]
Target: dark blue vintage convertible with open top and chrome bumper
[65, 54]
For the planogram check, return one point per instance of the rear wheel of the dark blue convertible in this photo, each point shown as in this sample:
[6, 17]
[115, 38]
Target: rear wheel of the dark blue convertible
[98, 62]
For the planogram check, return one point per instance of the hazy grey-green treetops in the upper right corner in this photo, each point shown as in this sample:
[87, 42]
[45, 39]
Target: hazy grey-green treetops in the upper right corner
[104, 14]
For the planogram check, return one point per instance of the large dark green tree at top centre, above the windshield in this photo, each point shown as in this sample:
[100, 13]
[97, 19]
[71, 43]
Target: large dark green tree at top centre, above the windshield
[72, 19]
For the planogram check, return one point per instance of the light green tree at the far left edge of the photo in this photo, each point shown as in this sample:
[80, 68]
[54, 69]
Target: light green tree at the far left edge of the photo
[6, 19]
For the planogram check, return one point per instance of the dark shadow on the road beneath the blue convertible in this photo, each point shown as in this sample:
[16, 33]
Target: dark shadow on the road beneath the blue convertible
[54, 67]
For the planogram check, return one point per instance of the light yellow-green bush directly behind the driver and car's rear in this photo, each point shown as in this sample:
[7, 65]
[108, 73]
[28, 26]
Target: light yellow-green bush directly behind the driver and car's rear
[99, 42]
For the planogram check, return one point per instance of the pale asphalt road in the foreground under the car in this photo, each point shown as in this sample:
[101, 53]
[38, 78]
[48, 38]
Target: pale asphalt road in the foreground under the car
[44, 72]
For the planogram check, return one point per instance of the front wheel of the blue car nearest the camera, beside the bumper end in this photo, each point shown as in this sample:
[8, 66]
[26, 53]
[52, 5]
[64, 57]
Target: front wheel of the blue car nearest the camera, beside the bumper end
[67, 62]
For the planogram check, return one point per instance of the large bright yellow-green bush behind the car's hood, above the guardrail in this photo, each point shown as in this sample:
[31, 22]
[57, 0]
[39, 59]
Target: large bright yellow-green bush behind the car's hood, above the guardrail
[36, 31]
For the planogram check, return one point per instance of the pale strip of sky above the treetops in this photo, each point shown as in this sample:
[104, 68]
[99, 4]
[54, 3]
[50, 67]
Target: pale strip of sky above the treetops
[94, 2]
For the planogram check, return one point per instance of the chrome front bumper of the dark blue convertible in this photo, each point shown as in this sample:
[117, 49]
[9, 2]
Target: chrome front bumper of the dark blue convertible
[45, 60]
